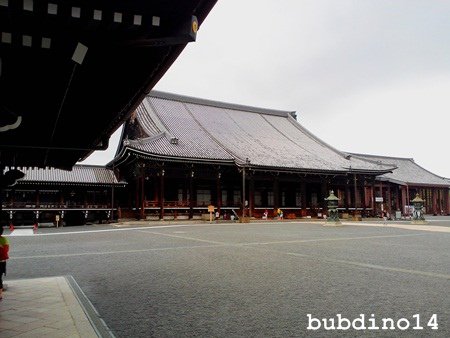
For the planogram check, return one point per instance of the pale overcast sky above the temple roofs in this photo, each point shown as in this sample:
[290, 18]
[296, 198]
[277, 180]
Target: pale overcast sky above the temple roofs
[366, 76]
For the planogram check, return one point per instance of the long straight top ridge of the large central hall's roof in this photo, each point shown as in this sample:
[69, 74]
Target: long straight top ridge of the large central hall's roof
[219, 104]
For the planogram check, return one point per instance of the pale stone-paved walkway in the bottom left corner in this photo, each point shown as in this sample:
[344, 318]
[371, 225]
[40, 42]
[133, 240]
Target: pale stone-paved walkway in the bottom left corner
[48, 307]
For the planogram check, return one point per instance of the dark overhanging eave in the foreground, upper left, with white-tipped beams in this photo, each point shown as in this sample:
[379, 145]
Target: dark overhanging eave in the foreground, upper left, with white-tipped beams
[70, 108]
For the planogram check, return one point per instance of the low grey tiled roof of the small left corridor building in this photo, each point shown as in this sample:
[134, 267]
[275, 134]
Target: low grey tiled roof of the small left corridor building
[79, 175]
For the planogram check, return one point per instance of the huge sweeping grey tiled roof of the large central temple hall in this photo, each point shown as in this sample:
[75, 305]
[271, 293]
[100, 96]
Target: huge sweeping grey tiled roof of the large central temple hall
[181, 127]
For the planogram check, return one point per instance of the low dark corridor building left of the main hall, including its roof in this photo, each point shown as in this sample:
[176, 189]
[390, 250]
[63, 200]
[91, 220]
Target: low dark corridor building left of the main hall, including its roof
[84, 194]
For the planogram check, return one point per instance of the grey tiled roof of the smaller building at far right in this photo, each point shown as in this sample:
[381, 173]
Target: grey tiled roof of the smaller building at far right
[407, 173]
